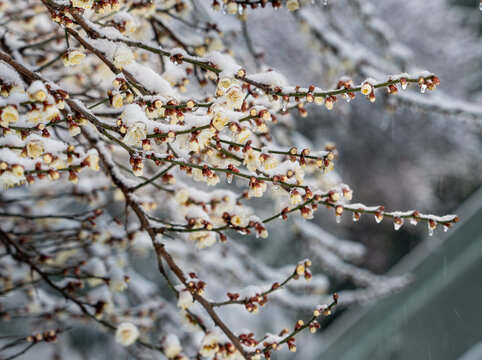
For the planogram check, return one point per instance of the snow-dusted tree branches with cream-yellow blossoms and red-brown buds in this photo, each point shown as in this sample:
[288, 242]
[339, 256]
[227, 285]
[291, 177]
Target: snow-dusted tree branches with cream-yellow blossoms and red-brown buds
[161, 139]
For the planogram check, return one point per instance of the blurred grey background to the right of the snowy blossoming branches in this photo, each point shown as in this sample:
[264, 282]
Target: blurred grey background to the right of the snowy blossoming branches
[397, 154]
